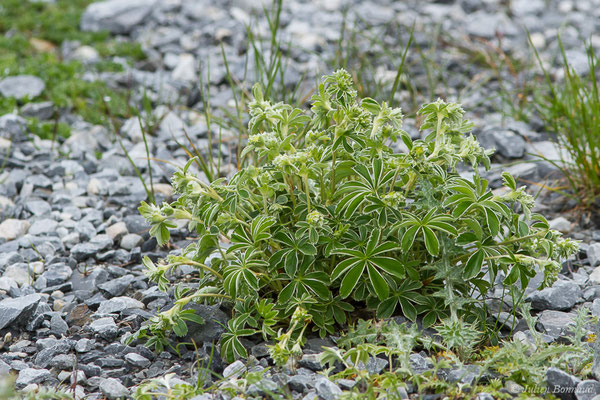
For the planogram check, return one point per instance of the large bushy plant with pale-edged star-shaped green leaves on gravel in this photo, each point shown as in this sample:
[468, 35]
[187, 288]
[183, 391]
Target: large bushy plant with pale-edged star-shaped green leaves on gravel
[325, 218]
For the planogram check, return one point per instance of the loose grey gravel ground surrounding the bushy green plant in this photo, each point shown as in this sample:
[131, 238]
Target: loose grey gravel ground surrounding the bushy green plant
[71, 240]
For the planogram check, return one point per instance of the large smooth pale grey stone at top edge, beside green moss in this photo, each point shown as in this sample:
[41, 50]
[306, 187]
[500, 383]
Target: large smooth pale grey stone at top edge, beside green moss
[116, 16]
